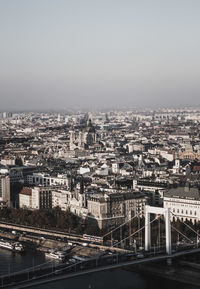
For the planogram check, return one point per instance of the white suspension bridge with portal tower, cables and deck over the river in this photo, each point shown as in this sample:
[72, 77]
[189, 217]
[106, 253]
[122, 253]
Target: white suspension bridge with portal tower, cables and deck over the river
[116, 258]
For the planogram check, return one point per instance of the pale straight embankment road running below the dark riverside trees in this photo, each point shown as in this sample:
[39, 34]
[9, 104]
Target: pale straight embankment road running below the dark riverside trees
[57, 234]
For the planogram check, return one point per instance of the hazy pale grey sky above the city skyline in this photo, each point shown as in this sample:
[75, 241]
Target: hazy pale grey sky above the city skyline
[99, 53]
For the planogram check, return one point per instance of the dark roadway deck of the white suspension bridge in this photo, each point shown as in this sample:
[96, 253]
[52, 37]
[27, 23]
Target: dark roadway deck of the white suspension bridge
[62, 274]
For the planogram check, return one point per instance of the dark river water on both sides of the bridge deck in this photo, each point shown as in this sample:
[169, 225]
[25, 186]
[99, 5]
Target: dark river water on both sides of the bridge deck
[117, 279]
